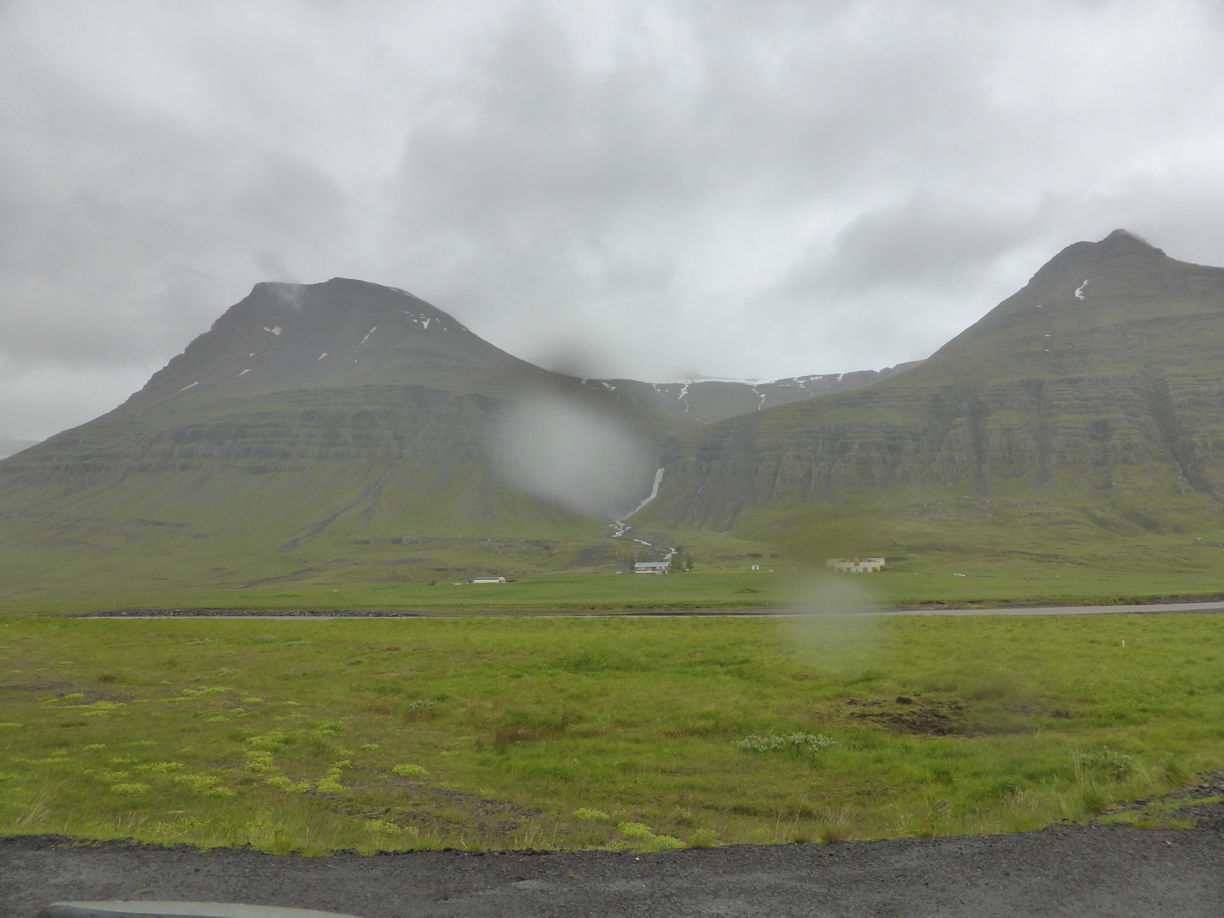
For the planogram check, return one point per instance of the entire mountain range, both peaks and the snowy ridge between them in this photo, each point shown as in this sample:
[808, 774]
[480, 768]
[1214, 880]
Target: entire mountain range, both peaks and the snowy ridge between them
[352, 433]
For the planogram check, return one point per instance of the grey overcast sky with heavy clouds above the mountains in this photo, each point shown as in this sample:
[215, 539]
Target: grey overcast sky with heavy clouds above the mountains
[655, 190]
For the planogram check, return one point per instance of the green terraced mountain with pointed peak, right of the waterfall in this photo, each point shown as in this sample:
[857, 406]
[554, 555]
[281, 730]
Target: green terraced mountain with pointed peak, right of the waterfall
[1096, 387]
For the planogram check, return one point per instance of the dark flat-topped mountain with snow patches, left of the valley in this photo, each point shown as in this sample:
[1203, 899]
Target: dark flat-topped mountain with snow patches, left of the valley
[308, 423]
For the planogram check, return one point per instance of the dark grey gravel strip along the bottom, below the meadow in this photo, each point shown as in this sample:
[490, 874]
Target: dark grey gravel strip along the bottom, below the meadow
[1079, 871]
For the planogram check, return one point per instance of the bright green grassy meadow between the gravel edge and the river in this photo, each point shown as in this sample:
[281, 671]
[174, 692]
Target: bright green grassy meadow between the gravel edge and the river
[303, 736]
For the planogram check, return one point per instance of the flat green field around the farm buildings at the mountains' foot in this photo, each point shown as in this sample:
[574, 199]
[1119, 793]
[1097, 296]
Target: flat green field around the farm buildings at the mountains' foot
[926, 582]
